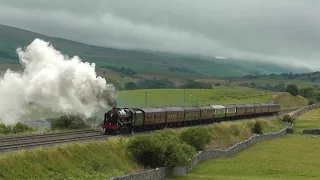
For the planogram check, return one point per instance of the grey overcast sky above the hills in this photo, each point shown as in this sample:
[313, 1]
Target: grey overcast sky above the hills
[281, 31]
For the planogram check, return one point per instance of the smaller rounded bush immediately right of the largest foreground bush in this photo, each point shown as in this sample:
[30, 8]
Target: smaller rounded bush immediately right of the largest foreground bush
[196, 137]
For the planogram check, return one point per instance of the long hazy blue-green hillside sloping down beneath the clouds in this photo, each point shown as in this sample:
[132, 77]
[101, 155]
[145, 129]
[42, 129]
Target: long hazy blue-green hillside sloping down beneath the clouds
[145, 62]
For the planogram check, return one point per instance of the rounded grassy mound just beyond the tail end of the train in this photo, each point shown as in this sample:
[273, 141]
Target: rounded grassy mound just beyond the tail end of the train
[288, 101]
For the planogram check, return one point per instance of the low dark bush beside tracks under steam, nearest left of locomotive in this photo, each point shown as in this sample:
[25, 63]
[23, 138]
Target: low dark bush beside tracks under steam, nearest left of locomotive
[68, 122]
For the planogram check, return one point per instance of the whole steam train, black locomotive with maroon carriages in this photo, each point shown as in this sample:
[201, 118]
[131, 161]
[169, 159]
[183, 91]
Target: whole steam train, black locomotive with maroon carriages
[129, 120]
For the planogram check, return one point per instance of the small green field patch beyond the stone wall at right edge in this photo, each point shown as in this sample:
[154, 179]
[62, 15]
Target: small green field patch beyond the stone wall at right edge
[308, 120]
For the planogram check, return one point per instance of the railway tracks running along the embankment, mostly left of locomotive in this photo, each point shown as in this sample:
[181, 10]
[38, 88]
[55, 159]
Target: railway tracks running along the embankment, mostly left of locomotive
[15, 143]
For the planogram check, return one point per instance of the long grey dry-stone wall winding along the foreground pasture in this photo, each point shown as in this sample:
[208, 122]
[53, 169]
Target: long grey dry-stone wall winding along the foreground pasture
[163, 172]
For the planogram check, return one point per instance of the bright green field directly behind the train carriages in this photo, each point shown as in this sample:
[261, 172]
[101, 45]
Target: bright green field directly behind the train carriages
[175, 97]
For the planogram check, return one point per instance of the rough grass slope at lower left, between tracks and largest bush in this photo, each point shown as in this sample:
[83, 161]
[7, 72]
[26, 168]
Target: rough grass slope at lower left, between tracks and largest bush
[94, 160]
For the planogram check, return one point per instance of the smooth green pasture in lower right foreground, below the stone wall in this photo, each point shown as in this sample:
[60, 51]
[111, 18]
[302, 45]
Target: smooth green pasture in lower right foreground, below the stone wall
[289, 157]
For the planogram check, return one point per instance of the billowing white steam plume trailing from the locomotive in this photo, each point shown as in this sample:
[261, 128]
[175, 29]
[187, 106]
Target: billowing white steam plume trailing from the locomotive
[52, 82]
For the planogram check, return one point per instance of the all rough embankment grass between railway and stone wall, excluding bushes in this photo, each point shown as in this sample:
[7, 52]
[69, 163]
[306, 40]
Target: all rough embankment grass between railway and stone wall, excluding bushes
[105, 159]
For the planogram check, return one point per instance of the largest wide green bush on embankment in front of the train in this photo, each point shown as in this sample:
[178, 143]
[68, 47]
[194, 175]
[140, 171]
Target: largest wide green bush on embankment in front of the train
[163, 148]
